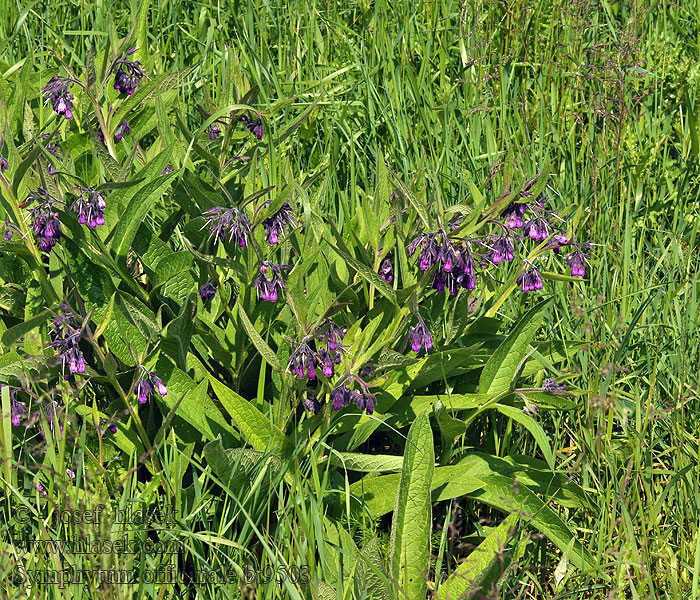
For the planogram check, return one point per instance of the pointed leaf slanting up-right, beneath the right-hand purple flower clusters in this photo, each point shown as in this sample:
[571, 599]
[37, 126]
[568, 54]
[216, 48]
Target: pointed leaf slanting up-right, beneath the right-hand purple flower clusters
[500, 371]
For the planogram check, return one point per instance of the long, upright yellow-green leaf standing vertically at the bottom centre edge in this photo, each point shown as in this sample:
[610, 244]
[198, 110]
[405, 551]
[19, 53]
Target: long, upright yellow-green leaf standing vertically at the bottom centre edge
[409, 548]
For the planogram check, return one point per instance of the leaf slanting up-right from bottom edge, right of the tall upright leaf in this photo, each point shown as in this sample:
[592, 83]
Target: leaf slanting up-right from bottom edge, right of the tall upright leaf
[469, 572]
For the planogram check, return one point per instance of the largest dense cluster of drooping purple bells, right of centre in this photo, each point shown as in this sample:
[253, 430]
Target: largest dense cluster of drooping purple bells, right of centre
[454, 260]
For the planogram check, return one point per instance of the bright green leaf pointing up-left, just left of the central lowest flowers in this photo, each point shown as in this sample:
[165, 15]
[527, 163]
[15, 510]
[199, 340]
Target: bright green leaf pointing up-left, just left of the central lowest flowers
[256, 428]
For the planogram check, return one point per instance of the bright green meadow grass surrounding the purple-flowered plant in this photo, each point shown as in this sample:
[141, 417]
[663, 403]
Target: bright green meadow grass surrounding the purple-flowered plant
[608, 92]
